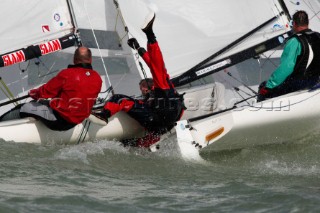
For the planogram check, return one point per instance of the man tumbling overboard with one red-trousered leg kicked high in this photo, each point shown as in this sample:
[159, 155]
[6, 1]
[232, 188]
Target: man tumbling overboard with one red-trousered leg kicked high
[162, 107]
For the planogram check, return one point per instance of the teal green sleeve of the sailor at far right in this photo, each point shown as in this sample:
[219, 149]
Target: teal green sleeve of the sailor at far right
[288, 60]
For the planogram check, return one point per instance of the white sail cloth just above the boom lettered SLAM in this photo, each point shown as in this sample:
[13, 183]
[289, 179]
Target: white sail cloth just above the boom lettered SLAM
[49, 20]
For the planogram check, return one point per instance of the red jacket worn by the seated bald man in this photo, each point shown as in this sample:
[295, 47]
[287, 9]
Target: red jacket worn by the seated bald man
[73, 92]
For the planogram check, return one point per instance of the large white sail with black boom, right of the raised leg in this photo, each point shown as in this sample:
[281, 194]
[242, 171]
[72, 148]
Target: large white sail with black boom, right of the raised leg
[196, 34]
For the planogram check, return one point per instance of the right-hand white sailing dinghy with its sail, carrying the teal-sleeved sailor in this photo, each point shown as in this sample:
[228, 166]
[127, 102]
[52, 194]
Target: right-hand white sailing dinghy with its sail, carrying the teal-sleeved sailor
[218, 52]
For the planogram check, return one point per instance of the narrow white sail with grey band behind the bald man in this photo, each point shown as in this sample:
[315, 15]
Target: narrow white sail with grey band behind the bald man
[103, 31]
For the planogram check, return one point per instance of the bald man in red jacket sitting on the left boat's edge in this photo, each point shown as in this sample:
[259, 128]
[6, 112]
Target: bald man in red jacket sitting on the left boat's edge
[72, 92]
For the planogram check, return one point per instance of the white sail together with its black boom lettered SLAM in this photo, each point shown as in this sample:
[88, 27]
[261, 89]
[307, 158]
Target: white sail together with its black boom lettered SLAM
[34, 28]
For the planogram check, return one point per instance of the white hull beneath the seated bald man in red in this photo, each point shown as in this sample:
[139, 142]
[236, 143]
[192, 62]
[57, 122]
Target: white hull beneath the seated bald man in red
[29, 130]
